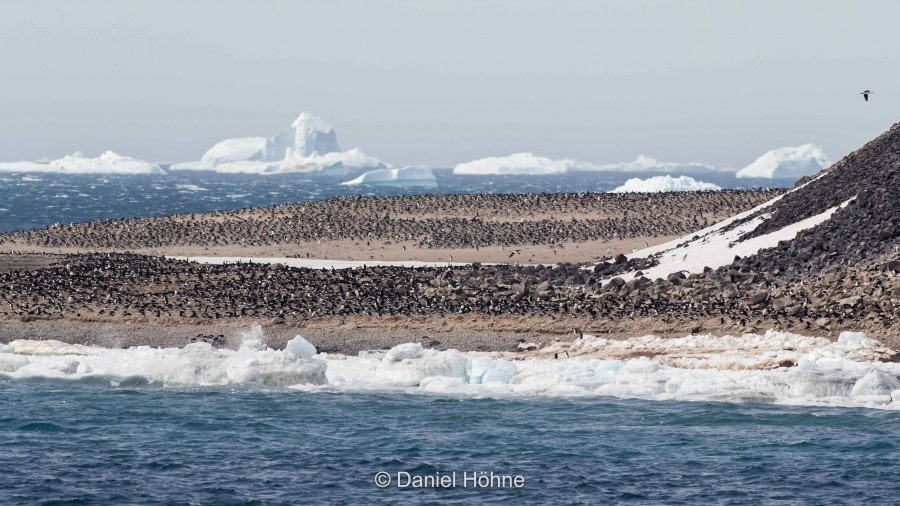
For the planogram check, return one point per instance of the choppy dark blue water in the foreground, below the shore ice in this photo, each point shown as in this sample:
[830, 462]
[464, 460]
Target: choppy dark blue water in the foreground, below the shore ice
[76, 443]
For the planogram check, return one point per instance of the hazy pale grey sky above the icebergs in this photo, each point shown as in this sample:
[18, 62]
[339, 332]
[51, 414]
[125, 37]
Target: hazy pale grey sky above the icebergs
[437, 83]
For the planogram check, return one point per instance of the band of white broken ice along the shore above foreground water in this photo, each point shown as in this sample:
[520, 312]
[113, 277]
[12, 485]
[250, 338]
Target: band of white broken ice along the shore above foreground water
[774, 367]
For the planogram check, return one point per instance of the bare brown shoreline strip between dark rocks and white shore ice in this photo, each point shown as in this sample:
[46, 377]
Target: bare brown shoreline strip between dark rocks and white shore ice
[352, 334]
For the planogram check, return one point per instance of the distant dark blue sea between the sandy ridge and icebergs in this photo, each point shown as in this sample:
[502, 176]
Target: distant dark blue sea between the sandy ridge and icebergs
[40, 200]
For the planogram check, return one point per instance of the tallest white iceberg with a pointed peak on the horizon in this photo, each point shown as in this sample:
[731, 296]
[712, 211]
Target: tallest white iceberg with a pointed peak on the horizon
[309, 145]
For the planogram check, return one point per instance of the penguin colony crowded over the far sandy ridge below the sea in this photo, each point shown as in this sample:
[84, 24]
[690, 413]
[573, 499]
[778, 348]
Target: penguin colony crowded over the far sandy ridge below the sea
[430, 221]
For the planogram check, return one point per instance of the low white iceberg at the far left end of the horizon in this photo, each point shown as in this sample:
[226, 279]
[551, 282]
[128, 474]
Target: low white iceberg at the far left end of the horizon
[76, 163]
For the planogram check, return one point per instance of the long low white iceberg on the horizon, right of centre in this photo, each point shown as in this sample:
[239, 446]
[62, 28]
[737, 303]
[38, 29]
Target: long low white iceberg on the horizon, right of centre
[531, 164]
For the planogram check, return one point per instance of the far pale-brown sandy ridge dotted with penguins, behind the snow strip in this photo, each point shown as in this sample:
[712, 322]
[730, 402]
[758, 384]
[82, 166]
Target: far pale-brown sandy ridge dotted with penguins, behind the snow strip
[527, 228]
